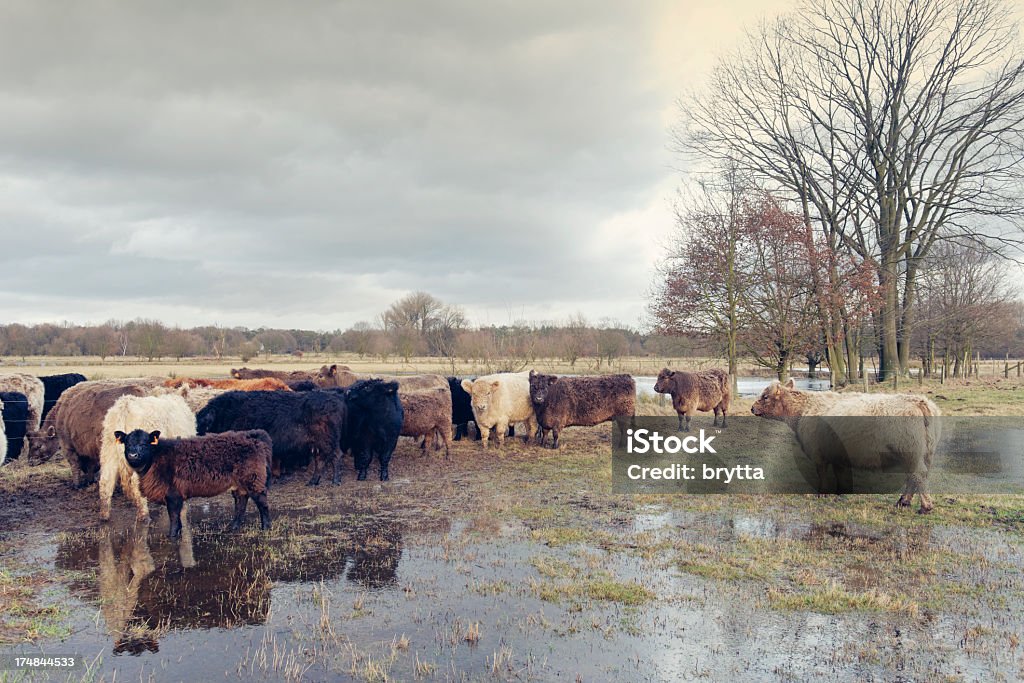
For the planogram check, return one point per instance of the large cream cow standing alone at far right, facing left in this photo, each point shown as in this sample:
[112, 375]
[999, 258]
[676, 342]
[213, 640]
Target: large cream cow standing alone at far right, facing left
[828, 436]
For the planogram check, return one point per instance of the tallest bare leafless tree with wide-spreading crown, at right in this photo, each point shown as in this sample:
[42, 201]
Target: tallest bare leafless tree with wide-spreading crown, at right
[894, 123]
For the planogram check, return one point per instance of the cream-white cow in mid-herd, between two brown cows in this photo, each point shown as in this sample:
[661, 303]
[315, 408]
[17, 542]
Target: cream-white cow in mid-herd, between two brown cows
[500, 401]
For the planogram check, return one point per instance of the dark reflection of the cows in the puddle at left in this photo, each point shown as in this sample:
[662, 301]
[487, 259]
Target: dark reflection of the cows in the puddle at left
[147, 585]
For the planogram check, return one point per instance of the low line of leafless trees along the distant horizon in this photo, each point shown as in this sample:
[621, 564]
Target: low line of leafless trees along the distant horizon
[418, 325]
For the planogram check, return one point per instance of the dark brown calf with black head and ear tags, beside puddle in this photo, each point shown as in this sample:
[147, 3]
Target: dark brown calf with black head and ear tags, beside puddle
[172, 472]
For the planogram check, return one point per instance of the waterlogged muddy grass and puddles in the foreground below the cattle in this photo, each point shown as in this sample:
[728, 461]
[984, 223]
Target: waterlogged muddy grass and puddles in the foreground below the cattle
[517, 565]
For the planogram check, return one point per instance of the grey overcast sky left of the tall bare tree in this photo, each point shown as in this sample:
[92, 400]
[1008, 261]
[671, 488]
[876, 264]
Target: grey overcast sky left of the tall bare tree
[306, 164]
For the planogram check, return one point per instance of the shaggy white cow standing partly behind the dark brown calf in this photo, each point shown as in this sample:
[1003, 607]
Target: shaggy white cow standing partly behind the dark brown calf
[168, 414]
